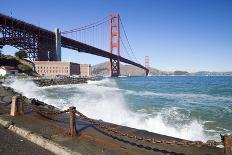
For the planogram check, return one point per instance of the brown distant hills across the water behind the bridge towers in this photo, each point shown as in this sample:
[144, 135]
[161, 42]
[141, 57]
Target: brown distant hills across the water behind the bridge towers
[102, 70]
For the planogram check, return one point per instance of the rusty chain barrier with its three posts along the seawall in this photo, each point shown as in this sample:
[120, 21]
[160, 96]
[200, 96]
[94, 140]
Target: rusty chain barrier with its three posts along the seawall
[17, 108]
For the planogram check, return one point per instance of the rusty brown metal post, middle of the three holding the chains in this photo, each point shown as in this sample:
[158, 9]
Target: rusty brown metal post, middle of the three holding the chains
[72, 121]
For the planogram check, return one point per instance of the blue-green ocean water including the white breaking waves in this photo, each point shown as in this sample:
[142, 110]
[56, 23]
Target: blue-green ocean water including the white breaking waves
[193, 108]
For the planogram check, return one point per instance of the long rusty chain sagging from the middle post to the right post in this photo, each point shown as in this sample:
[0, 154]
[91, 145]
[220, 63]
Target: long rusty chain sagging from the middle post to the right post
[109, 131]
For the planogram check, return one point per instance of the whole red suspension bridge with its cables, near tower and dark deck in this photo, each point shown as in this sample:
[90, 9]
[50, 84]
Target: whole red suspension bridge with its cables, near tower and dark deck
[102, 38]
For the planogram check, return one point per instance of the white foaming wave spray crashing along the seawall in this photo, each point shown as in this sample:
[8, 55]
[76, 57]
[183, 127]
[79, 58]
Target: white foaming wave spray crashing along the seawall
[104, 100]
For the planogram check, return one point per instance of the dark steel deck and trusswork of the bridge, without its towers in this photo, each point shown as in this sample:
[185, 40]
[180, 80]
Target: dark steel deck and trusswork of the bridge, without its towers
[41, 44]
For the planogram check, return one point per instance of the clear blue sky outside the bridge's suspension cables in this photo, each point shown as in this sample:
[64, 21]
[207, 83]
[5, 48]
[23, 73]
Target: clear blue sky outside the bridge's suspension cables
[192, 35]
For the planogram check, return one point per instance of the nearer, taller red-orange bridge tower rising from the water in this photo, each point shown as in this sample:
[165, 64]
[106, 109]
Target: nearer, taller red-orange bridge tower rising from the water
[115, 45]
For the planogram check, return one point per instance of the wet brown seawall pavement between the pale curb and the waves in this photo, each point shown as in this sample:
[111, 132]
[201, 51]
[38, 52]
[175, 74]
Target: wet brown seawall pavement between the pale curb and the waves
[90, 140]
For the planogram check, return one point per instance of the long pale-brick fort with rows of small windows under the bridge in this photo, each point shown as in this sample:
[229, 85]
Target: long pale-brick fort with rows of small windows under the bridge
[54, 68]
